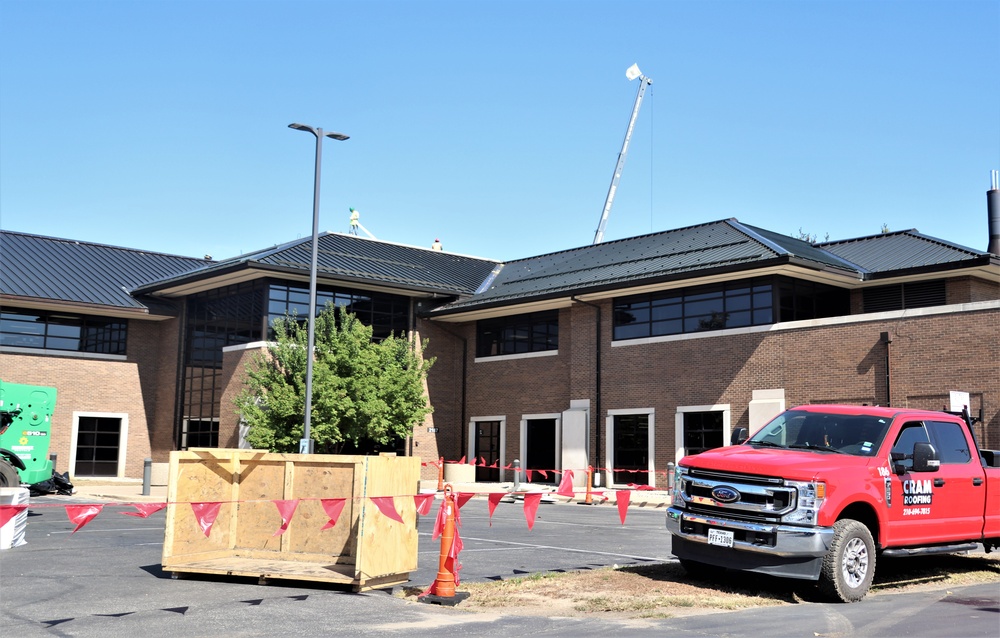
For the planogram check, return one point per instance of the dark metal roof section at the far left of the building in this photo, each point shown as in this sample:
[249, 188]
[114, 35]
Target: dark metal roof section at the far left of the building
[73, 271]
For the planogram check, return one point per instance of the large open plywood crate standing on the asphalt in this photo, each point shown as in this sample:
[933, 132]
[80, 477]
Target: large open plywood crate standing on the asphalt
[364, 550]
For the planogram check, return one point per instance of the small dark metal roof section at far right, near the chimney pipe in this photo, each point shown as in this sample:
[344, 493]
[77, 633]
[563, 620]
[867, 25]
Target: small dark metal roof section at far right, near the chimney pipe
[900, 250]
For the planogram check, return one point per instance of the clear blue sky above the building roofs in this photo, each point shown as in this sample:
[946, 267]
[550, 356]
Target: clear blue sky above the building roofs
[494, 126]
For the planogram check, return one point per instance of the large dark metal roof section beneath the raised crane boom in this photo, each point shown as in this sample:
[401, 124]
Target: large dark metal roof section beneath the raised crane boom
[714, 246]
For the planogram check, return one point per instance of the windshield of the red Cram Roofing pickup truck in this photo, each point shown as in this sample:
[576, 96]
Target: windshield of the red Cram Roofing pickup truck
[860, 435]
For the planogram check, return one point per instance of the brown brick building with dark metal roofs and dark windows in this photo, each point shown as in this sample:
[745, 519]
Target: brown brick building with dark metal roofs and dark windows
[625, 355]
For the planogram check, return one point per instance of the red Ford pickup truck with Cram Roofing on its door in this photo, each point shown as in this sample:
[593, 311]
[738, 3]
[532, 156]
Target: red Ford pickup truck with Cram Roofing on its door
[822, 490]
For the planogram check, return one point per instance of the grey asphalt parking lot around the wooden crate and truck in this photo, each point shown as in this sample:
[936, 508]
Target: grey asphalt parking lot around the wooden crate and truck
[106, 580]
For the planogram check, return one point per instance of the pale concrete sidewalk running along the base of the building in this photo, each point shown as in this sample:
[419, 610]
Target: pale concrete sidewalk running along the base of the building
[131, 491]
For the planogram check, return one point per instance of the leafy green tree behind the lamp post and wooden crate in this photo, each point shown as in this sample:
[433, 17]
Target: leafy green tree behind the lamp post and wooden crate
[366, 394]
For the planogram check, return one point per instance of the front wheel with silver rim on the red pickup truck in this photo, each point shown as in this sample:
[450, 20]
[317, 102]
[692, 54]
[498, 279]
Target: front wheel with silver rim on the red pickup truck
[849, 564]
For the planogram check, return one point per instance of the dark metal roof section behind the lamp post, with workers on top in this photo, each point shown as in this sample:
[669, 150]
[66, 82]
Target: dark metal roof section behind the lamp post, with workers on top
[359, 259]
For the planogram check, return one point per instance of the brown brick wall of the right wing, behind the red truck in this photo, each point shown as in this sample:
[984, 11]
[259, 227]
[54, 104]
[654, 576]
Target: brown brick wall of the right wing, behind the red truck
[928, 356]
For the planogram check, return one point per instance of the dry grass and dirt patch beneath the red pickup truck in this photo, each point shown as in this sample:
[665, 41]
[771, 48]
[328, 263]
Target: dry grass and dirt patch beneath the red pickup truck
[665, 590]
